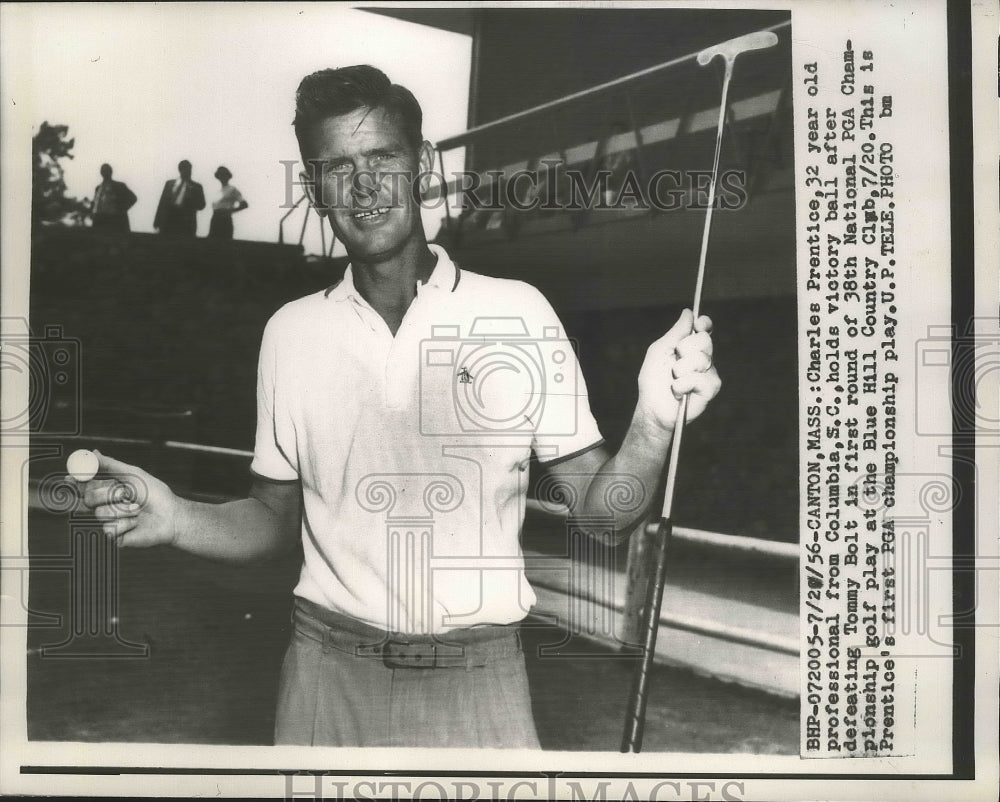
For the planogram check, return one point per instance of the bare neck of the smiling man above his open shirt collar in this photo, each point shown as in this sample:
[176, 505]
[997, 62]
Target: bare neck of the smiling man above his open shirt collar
[390, 286]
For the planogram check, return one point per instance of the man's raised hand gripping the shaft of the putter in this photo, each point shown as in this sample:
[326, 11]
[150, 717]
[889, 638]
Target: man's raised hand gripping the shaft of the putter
[678, 364]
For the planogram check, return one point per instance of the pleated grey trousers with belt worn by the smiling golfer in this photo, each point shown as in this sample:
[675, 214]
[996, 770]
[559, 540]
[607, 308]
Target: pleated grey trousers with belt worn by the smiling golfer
[336, 689]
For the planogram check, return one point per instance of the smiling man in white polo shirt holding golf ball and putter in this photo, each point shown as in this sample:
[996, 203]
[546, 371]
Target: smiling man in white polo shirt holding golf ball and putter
[396, 415]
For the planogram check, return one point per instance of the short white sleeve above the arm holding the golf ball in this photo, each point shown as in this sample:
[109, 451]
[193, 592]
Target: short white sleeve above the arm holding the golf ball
[274, 457]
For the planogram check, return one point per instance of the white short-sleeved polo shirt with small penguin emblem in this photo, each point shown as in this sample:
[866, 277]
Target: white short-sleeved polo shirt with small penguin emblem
[413, 450]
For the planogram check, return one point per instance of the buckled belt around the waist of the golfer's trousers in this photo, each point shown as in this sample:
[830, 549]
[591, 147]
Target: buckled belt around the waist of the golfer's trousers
[468, 648]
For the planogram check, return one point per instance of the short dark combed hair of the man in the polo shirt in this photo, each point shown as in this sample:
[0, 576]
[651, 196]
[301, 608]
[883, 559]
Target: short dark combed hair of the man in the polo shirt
[333, 93]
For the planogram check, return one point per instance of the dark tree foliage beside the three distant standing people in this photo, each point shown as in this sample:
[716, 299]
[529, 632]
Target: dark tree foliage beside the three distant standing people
[49, 202]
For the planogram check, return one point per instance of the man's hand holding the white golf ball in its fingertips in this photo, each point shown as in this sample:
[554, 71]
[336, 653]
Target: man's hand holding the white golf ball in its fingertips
[137, 508]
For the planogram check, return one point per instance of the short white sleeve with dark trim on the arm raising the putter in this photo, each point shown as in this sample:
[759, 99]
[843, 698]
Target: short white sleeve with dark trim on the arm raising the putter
[566, 425]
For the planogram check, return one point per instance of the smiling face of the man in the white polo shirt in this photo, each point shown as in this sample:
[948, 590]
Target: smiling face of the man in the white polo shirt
[364, 168]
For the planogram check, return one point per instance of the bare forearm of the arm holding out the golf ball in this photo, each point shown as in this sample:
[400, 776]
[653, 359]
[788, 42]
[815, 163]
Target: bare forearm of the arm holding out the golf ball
[243, 531]
